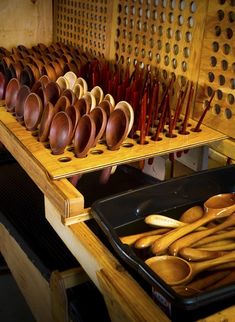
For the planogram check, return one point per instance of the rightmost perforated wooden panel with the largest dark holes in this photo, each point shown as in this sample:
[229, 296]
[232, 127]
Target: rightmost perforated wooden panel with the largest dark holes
[217, 70]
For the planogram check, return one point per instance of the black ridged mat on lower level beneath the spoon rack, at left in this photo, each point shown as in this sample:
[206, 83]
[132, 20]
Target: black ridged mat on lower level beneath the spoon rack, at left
[22, 212]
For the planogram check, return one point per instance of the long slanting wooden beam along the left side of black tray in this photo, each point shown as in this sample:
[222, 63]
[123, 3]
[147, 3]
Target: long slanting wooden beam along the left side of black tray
[93, 256]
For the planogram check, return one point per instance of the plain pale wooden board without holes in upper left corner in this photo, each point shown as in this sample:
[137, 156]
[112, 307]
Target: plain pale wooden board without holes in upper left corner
[24, 22]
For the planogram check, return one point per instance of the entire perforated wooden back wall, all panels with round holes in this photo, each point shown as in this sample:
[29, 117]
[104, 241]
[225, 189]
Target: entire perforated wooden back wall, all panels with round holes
[189, 39]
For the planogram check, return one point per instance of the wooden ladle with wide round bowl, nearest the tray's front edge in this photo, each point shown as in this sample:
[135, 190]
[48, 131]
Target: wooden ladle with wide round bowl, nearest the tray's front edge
[176, 271]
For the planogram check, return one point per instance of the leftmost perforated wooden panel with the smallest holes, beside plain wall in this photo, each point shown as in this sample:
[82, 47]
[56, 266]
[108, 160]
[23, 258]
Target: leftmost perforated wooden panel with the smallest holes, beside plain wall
[84, 24]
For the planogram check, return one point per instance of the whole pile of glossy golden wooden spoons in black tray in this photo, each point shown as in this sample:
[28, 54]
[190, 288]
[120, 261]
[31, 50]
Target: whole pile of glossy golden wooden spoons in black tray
[196, 244]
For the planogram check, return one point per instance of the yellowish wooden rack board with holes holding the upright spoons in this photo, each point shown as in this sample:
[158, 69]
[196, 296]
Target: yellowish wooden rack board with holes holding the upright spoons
[56, 167]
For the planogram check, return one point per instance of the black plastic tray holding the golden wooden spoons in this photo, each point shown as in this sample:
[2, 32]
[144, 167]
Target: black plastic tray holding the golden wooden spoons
[123, 214]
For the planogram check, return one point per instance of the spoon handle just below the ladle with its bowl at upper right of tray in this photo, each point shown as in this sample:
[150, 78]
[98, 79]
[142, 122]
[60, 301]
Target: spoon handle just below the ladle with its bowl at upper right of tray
[190, 239]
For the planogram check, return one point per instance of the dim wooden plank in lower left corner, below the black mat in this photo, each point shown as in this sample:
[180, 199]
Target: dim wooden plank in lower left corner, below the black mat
[32, 284]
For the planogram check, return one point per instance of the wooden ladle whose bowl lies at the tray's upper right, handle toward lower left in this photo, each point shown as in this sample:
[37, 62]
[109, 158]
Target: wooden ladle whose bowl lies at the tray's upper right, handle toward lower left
[218, 206]
